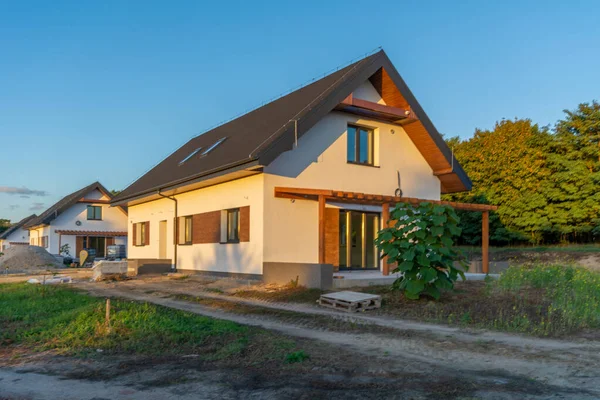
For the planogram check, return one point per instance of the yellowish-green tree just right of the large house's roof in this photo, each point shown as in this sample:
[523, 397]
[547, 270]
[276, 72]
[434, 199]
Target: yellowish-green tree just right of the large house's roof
[507, 167]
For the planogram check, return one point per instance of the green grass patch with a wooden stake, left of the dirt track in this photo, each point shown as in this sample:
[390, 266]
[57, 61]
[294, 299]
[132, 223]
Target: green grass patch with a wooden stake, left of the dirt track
[59, 318]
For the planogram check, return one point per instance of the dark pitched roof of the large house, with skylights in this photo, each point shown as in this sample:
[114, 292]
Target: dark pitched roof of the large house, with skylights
[261, 135]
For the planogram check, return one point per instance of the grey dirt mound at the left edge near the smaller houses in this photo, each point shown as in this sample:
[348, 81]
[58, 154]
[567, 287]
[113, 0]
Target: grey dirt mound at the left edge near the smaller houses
[26, 258]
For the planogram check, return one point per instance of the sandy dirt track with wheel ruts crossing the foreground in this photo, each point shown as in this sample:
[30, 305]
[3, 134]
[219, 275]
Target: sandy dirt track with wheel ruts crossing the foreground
[371, 357]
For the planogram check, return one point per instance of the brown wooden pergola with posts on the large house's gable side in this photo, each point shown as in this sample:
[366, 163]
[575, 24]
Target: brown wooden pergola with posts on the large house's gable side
[323, 195]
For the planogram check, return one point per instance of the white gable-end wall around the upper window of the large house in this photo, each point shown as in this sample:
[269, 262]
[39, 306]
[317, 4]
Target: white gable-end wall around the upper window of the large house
[320, 162]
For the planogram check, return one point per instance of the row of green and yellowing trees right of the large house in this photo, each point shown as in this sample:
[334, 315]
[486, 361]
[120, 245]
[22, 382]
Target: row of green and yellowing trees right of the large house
[545, 180]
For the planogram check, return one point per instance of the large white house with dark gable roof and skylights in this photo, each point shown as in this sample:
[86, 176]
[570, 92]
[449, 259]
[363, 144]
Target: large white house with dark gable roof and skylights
[301, 184]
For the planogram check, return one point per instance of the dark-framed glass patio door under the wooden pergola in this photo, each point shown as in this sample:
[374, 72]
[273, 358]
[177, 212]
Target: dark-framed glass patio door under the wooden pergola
[357, 234]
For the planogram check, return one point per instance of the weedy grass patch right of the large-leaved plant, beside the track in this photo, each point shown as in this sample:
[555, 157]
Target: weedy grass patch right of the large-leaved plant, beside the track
[541, 300]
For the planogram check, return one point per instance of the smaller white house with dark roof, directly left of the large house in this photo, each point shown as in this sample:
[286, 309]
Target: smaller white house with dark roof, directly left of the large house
[83, 220]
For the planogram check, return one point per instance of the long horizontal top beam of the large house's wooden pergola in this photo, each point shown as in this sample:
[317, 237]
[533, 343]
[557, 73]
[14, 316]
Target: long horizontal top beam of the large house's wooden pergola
[370, 199]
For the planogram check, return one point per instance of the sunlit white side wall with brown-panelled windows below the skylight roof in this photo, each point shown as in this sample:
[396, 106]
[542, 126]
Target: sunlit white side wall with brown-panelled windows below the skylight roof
[244, 257]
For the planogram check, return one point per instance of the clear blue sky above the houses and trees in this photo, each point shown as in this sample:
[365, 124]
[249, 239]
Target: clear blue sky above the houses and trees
[105, 90]
